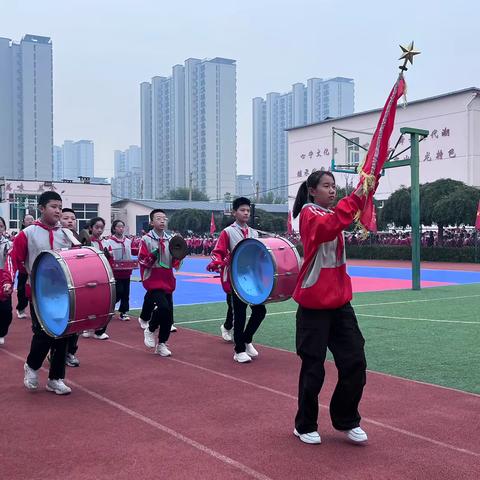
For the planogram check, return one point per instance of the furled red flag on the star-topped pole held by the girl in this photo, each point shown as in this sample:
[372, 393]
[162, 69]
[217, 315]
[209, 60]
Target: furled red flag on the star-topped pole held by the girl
[377, 154]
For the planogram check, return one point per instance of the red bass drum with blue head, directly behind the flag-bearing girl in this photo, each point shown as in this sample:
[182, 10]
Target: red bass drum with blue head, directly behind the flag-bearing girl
[264, 270]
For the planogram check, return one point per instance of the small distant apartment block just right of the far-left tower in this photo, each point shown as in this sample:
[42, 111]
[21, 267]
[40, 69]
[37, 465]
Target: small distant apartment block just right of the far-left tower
[73, 160]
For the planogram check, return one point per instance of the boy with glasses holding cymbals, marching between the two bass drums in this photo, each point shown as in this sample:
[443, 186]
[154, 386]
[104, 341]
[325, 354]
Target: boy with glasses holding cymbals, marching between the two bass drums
[156, 265]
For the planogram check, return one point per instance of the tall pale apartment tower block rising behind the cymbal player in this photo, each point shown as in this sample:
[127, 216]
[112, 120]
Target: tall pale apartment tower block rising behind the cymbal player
[188, 129]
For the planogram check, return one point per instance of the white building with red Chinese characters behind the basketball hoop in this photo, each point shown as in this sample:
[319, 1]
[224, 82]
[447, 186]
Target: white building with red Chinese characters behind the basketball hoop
[452, 149]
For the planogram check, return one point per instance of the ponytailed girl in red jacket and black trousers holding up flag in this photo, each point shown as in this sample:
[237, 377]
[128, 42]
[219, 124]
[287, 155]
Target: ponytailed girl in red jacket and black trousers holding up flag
[325, 318]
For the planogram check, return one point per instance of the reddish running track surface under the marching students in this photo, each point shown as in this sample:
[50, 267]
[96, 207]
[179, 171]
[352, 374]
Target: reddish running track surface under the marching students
[199, 415]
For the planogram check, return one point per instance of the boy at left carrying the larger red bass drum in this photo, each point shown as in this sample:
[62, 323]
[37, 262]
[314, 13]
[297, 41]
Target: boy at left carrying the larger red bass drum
[44, 234]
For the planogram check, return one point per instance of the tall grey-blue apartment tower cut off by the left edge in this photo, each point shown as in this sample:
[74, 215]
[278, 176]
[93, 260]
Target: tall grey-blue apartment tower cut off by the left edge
[26, 108]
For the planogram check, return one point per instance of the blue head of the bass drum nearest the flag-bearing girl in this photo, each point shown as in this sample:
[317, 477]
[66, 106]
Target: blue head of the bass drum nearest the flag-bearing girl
[252, 271]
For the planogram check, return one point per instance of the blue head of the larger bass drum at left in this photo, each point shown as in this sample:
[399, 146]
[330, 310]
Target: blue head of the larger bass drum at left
[51, 295]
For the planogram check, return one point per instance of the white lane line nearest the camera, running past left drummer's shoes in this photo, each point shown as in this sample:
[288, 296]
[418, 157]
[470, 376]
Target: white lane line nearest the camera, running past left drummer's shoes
[192, 443]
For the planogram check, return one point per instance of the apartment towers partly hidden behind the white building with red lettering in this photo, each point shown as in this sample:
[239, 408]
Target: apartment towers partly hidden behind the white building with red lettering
[319, 100]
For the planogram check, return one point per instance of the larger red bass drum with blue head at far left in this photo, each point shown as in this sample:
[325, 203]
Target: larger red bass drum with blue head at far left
[72, 290]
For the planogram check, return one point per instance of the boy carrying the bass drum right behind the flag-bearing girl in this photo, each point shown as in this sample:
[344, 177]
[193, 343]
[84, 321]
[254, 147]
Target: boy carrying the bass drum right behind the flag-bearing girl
[228, 239]
